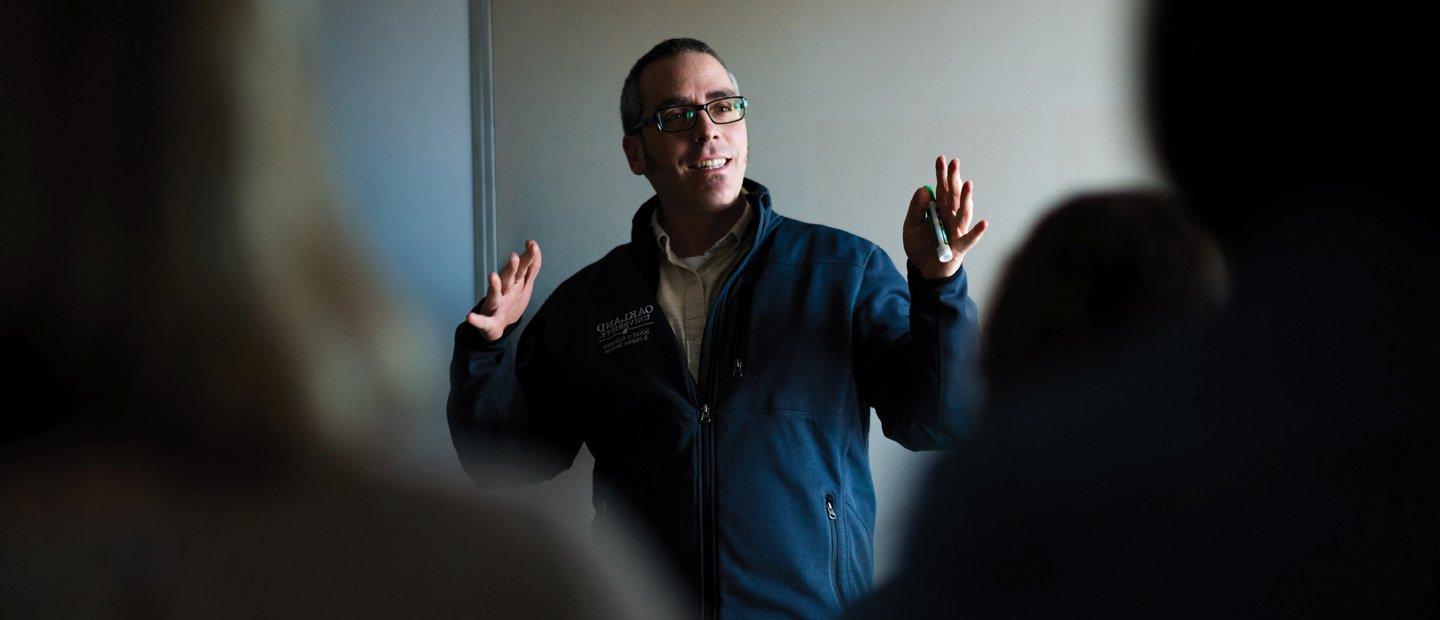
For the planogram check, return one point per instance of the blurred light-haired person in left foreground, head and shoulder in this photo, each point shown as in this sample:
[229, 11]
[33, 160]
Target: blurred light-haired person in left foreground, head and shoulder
[174, 283]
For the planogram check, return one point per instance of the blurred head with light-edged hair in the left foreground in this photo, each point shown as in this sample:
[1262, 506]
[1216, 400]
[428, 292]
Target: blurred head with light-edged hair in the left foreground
[175, 278]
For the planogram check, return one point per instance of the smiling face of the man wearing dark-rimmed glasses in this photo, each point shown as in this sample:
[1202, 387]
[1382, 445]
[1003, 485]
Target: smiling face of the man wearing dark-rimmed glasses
[683, 165]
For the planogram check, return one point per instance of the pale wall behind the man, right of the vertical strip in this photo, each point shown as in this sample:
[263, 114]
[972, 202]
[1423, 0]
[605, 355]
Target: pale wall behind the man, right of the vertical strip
[852, 100]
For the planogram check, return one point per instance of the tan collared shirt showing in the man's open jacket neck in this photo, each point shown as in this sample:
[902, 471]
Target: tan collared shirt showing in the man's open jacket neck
[689, 286]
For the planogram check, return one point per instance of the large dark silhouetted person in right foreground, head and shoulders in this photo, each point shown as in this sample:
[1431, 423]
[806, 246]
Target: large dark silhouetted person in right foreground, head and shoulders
[1281, 461]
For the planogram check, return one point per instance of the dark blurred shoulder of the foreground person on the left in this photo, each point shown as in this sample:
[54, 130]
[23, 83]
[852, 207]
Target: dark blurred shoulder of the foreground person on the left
[320, 544]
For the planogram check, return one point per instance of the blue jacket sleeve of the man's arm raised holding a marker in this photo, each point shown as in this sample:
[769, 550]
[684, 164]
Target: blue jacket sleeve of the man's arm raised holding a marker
[918, 355]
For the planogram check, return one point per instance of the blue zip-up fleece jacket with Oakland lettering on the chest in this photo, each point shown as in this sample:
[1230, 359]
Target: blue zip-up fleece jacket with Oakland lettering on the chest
[755, 481]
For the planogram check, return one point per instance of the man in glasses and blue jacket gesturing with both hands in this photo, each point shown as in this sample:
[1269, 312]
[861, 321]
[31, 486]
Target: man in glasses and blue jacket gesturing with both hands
[722, 365]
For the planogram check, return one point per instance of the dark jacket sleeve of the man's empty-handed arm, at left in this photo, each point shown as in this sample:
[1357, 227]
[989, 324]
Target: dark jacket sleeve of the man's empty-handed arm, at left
[508, 409]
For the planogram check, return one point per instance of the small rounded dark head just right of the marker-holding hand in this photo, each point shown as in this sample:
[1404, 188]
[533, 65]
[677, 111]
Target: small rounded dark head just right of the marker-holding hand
[1097, 265]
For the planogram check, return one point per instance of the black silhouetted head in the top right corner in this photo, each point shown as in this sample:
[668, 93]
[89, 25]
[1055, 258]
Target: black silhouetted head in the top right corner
[1249, 101]
